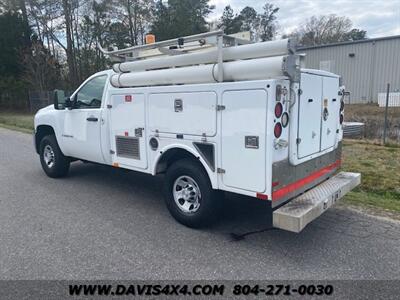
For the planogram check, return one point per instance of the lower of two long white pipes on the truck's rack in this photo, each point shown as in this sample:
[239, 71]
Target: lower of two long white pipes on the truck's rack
[261, 68]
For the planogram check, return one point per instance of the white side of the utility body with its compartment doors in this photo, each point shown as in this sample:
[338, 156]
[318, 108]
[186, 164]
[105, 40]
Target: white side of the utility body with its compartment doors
[199, 115]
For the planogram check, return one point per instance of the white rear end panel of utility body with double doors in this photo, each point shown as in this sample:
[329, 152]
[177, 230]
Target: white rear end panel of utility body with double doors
[307, 117]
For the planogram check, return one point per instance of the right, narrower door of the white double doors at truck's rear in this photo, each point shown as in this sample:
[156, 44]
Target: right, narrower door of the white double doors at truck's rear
[330, 112]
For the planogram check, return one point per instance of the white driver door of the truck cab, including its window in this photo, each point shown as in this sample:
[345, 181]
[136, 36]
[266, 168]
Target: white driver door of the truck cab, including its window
[82, 123]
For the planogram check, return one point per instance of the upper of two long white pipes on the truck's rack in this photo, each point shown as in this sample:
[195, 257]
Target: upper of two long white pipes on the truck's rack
[250, 51]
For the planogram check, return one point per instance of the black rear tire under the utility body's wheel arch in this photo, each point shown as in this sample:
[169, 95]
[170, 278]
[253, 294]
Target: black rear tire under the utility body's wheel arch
[209, 201]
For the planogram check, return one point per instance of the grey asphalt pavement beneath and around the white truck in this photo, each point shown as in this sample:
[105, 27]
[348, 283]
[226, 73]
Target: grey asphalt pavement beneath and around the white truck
[106, 223]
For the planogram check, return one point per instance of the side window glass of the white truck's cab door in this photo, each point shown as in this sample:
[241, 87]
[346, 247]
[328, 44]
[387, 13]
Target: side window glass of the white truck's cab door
[91, 94]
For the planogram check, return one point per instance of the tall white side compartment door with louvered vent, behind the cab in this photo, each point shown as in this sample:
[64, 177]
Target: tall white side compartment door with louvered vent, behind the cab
[127, 130]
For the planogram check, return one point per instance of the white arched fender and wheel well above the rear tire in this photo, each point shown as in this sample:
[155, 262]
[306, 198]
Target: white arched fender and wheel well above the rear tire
[174, 153]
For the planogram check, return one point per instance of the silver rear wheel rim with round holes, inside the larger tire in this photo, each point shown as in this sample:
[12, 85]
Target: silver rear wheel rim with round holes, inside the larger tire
[187, 194]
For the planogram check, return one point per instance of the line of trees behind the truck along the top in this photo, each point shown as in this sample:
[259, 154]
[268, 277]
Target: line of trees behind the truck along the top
[47, 44]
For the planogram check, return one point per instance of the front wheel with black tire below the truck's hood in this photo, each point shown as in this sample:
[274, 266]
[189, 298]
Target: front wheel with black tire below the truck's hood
[57, 168]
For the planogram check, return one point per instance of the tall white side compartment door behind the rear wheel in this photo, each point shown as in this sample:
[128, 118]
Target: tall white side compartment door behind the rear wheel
[243, 135]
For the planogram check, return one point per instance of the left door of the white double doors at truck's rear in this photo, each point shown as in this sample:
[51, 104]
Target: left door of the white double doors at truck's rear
[310, 113]
